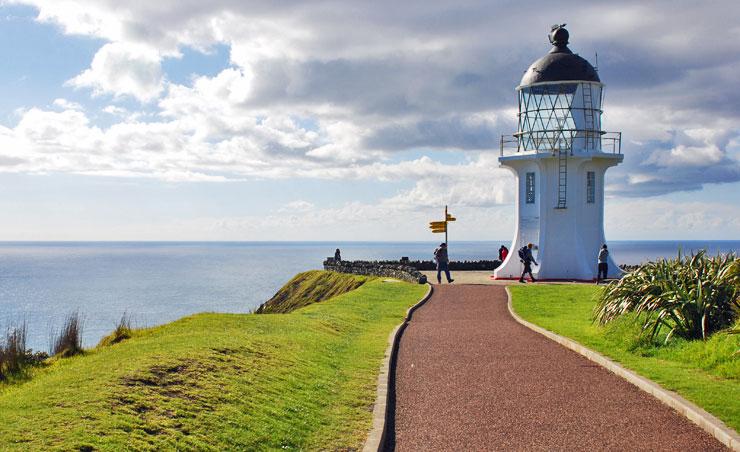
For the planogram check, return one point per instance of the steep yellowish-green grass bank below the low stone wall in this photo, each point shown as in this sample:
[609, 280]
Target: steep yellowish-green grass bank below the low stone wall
[310, 287]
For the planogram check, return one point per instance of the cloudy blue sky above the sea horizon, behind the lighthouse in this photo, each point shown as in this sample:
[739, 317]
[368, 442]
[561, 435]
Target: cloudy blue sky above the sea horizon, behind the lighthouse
[347, 120]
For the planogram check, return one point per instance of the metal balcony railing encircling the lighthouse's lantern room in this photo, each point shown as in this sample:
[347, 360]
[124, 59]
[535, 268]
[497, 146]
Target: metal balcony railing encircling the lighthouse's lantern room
[549, 141]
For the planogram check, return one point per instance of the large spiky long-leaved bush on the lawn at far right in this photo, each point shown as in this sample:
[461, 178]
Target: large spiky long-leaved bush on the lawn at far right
[691, 296]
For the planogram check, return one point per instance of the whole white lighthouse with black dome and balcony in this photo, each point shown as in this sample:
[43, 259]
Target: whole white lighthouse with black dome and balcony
[560, 155]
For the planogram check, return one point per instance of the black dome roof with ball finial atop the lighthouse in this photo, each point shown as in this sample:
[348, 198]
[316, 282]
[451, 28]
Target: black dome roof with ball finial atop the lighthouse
[560, 64]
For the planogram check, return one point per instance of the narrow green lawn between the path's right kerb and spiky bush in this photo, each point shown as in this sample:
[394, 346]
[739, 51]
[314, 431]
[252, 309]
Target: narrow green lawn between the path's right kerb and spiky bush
[704, 372]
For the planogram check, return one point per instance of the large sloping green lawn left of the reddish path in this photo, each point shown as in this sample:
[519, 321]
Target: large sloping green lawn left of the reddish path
[304, 380]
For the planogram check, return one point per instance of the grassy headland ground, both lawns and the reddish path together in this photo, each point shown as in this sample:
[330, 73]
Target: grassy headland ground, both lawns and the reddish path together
[301, 373]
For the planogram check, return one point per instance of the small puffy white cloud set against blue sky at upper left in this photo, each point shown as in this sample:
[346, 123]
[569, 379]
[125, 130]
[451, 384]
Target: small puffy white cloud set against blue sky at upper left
[123, 69]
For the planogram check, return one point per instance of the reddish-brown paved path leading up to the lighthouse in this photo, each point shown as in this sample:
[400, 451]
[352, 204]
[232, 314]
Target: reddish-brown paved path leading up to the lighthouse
[469, 377]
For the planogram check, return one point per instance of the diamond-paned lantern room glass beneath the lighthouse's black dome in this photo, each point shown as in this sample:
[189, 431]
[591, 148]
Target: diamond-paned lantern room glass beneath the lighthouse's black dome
[560, 116]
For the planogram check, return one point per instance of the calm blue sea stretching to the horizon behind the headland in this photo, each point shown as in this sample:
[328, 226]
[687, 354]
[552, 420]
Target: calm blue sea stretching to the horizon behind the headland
[157, 282]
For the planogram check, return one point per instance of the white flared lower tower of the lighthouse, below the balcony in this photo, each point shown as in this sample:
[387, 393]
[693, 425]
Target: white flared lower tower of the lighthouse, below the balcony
[567, 241]
